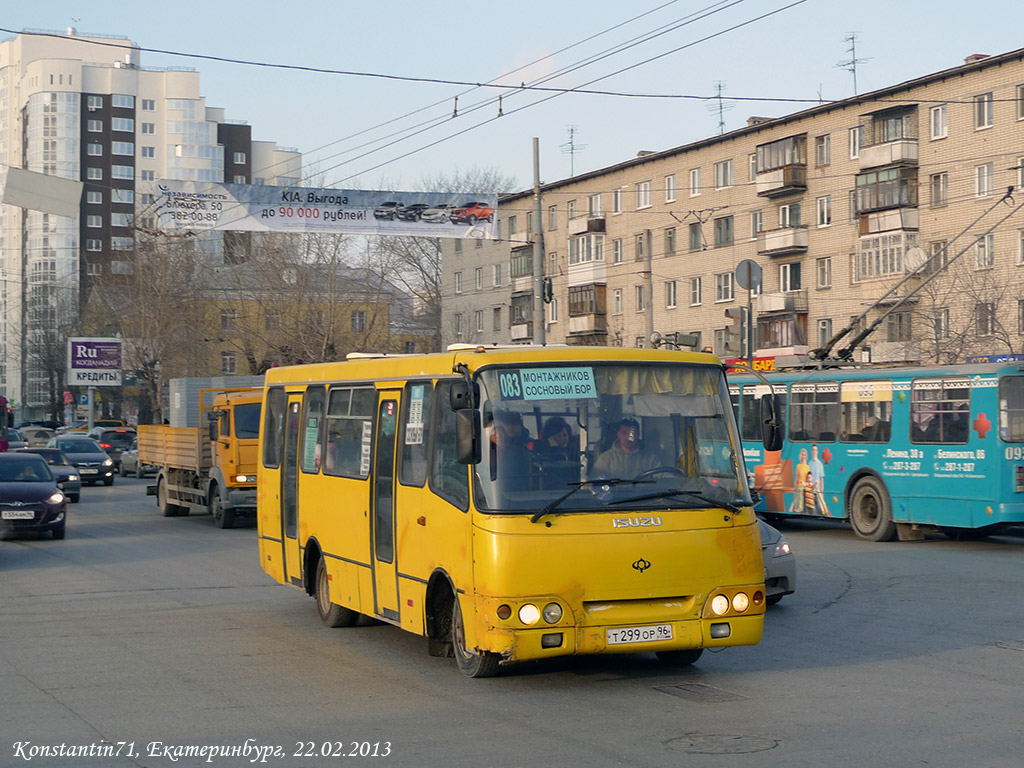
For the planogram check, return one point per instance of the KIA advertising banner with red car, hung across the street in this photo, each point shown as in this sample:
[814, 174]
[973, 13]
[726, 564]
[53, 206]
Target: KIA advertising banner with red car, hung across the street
[202, 205]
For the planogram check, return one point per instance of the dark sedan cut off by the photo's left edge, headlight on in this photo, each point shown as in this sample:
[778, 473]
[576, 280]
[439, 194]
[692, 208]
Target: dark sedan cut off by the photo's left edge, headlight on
[30, 499]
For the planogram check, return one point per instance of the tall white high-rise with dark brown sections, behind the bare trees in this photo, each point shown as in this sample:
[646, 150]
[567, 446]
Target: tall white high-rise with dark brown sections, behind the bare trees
[82, 108]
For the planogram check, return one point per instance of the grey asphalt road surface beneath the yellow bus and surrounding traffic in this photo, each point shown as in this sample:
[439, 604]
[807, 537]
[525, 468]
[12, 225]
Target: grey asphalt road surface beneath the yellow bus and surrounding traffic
[162, 637]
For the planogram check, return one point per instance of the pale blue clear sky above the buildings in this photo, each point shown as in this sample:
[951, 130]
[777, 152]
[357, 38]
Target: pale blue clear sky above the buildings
[770, 58]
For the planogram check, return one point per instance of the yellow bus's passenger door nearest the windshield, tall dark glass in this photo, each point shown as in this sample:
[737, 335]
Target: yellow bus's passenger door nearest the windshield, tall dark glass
[382, 530]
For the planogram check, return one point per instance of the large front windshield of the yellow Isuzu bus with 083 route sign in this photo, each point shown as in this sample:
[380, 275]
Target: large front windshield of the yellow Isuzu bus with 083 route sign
[608, 437]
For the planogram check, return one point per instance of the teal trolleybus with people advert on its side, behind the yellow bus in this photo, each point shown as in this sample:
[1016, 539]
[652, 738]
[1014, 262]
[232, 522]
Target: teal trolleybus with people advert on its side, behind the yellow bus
[893, 451]
